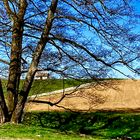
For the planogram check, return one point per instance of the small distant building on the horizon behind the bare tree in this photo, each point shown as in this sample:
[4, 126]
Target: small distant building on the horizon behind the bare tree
[42, 75]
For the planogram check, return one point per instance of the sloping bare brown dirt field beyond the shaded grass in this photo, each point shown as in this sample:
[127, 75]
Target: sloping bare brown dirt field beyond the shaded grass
[122, 95]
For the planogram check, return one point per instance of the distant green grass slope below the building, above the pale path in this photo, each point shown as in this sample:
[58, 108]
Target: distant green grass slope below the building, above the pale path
[41, 86]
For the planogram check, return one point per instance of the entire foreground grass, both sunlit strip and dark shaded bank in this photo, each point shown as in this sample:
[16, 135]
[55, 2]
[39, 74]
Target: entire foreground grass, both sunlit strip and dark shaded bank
[74, 126]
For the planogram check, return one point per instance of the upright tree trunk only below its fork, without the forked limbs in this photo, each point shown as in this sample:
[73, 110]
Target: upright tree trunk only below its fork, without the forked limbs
[15, 65]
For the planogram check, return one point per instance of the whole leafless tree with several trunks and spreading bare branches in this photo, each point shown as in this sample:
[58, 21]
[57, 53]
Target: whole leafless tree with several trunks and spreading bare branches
[76, 38]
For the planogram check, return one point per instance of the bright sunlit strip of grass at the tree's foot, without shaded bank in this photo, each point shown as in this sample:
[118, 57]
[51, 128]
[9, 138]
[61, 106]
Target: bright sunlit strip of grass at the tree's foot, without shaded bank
[37, 133]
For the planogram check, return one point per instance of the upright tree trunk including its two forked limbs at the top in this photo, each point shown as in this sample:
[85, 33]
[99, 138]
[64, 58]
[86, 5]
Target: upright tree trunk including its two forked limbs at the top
[16, 50]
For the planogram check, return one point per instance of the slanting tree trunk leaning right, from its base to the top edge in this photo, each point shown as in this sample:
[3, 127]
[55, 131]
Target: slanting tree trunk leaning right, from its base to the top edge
[16, 116]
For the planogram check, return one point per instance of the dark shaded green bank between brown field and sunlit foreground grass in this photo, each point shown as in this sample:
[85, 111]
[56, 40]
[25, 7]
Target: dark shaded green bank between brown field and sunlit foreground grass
[106, 125]
